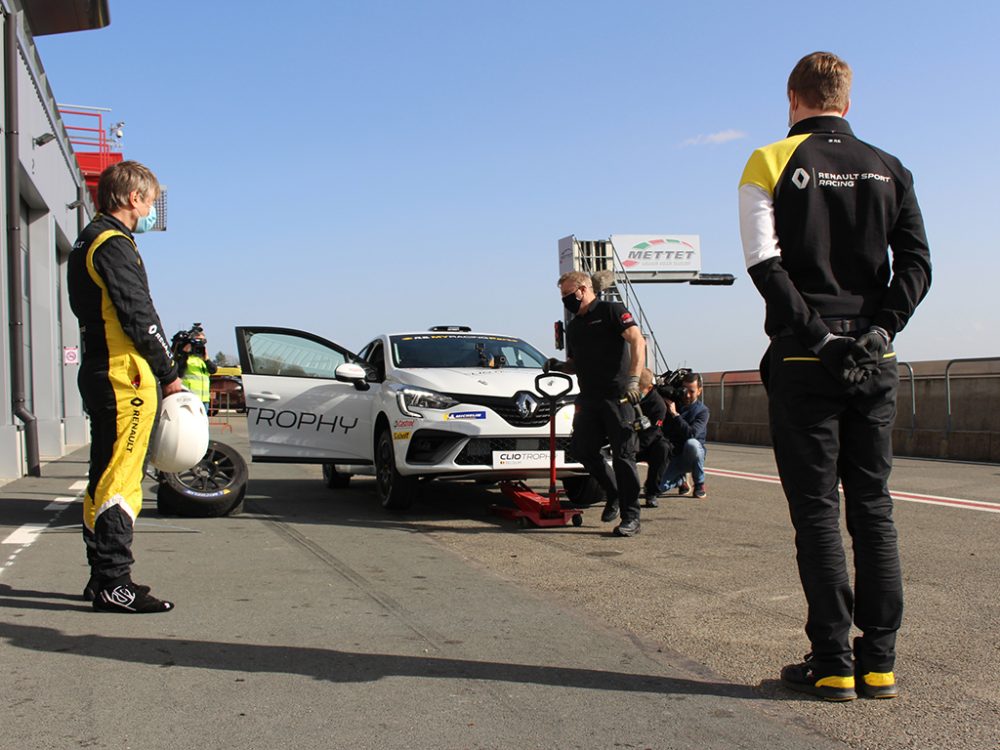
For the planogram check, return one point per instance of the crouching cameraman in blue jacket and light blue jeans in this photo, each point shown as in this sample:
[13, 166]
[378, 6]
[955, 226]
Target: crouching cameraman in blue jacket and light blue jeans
[686, 427]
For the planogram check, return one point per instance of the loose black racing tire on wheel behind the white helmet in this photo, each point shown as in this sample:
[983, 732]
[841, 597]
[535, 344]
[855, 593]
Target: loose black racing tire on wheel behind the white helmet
[214, 487]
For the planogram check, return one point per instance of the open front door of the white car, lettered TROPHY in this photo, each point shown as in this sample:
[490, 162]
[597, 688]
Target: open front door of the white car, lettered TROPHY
[297, 410]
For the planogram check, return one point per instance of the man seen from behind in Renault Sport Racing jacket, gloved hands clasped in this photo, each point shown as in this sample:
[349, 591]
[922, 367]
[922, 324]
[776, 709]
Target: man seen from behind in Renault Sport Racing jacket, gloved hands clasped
[819, 211]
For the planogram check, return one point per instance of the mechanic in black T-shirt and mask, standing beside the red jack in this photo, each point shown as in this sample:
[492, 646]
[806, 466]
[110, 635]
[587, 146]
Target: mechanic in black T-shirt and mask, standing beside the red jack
[606, 351]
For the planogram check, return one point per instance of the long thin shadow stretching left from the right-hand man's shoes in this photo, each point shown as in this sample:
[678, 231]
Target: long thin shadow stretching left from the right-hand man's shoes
[345, 666]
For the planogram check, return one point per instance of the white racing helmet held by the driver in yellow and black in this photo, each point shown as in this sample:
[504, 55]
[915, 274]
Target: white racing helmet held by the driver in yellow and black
[180, 439]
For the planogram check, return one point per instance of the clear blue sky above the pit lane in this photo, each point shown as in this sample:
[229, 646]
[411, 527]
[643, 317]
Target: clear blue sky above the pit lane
[350, 168]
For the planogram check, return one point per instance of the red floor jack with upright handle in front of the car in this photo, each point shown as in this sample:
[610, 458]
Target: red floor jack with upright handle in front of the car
[532, 507]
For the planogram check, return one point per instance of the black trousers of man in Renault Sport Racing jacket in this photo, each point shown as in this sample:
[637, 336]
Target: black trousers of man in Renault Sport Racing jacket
[824, 431]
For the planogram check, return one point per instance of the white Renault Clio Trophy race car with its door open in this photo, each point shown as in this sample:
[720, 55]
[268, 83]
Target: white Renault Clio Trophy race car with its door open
[443, 403]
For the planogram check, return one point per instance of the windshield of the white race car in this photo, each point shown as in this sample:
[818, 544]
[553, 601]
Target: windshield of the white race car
[463, 350]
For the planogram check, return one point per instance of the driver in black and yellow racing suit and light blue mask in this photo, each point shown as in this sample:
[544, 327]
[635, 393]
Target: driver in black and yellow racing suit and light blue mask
[126, 359]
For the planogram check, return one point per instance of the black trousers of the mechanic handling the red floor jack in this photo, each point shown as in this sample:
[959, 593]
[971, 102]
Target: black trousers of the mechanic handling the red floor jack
[599, 422]
